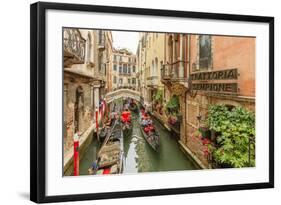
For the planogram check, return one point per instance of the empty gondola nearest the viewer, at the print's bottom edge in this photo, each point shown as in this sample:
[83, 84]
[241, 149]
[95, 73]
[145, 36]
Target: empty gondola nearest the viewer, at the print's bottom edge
[110, 156]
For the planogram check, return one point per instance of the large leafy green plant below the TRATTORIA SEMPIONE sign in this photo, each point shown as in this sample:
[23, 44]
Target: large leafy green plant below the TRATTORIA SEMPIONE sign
[236, 132]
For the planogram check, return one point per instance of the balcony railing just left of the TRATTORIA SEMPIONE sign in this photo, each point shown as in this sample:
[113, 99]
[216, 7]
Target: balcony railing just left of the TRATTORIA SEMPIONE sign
[173, 72]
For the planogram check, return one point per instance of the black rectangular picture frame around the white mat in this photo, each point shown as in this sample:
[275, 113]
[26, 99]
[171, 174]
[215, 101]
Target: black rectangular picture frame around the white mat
[38, 100]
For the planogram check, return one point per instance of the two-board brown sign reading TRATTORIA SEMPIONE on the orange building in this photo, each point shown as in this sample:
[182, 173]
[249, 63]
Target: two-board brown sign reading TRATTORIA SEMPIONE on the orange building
[203, 81]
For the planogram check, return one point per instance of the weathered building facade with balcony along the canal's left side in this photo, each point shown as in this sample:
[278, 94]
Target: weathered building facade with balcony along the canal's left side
[86, 61]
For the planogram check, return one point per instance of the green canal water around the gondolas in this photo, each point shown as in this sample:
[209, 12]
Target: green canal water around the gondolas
[140, 157]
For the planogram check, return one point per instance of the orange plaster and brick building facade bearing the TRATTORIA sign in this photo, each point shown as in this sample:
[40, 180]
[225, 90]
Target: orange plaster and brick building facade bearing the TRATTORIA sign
[222, 73]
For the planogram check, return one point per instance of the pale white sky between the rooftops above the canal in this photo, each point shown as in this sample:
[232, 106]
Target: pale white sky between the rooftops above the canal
[123, 39]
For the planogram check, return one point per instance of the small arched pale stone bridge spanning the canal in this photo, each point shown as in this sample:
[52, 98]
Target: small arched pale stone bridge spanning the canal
[122, 93]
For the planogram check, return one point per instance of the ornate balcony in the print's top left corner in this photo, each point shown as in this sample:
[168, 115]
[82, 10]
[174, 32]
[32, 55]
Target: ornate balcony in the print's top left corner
[74, 47]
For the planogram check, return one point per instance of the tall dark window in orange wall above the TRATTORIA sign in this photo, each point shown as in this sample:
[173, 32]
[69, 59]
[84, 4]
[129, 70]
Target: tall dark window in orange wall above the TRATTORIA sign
[205, 52]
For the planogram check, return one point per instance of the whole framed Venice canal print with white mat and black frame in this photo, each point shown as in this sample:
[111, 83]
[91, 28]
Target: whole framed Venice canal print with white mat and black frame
[129, 102]
